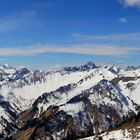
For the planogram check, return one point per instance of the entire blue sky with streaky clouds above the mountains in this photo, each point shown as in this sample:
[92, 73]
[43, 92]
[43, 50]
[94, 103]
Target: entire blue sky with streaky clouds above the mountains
[48, 33]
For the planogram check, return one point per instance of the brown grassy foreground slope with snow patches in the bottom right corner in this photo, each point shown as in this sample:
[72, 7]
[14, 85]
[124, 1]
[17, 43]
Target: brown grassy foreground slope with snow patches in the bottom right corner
[129, 130]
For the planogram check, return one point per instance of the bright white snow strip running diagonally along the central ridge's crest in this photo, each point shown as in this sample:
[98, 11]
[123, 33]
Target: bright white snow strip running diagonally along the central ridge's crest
[86, 82]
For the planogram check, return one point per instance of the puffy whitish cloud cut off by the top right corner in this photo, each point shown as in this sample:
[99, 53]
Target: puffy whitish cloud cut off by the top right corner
[131, 3]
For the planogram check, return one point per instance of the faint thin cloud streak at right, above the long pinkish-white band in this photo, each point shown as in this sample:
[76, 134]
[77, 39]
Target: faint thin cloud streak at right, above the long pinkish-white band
[114, 37]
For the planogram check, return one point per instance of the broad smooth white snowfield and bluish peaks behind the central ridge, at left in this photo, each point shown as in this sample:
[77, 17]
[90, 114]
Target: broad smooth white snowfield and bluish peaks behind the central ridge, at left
[27, 85]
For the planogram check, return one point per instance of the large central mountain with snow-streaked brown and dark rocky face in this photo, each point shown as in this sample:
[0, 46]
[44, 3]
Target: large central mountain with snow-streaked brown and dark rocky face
[92, 106]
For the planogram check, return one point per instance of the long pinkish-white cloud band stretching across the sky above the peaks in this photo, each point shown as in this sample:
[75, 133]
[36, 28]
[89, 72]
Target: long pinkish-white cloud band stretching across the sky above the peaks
[90, 49]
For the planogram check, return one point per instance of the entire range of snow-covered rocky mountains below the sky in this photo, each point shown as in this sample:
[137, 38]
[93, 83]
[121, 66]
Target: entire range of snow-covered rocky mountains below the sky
[81, 102]
